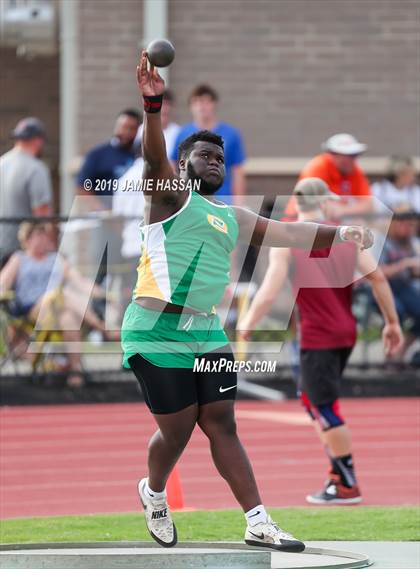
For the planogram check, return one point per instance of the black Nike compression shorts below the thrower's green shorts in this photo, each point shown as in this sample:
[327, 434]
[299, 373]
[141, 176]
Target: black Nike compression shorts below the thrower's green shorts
[168, 390]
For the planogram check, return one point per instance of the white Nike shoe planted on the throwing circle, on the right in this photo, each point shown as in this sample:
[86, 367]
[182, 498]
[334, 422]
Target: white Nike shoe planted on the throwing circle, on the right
[268, 534]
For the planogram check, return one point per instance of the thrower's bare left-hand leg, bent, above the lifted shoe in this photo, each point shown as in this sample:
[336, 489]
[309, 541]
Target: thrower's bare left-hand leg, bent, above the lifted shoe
[167, 444]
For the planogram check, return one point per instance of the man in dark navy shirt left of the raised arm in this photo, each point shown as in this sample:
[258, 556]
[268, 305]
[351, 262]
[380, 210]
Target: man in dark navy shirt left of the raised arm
[109, 161]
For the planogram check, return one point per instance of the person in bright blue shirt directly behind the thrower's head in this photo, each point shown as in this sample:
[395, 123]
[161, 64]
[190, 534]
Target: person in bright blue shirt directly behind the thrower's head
[203, 106]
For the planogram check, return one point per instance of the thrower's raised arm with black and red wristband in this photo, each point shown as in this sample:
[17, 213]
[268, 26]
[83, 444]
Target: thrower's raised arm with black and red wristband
[152, 86]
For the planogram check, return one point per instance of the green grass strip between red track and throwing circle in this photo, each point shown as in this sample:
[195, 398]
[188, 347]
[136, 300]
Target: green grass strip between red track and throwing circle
[309, 524]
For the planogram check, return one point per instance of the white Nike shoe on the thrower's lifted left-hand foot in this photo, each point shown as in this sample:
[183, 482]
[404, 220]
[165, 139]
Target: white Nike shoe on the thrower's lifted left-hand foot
[158, 518]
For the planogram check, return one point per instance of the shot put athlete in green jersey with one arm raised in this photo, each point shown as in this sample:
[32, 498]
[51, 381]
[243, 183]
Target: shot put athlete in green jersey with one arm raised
[182, 275]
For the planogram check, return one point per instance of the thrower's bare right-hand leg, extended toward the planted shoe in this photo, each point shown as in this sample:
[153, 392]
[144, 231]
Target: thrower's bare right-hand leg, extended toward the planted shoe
[217, 421]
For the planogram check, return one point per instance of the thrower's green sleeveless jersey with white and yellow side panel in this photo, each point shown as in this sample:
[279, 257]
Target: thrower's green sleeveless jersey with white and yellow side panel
[185, 258]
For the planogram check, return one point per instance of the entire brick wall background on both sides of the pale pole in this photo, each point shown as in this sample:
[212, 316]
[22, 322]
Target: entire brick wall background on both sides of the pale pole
[290, 73]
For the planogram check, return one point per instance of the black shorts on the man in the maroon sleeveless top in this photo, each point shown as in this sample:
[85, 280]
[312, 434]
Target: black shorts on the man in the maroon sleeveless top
[321, 372]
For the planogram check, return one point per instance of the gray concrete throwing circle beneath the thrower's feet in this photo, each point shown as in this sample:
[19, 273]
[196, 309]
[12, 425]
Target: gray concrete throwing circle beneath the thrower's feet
[145, 555]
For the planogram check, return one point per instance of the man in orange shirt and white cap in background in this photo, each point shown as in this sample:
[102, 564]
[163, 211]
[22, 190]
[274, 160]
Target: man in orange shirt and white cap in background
[337, 166]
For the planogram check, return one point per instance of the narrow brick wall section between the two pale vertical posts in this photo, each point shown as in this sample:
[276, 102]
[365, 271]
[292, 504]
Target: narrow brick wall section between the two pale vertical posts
[110, 32]
